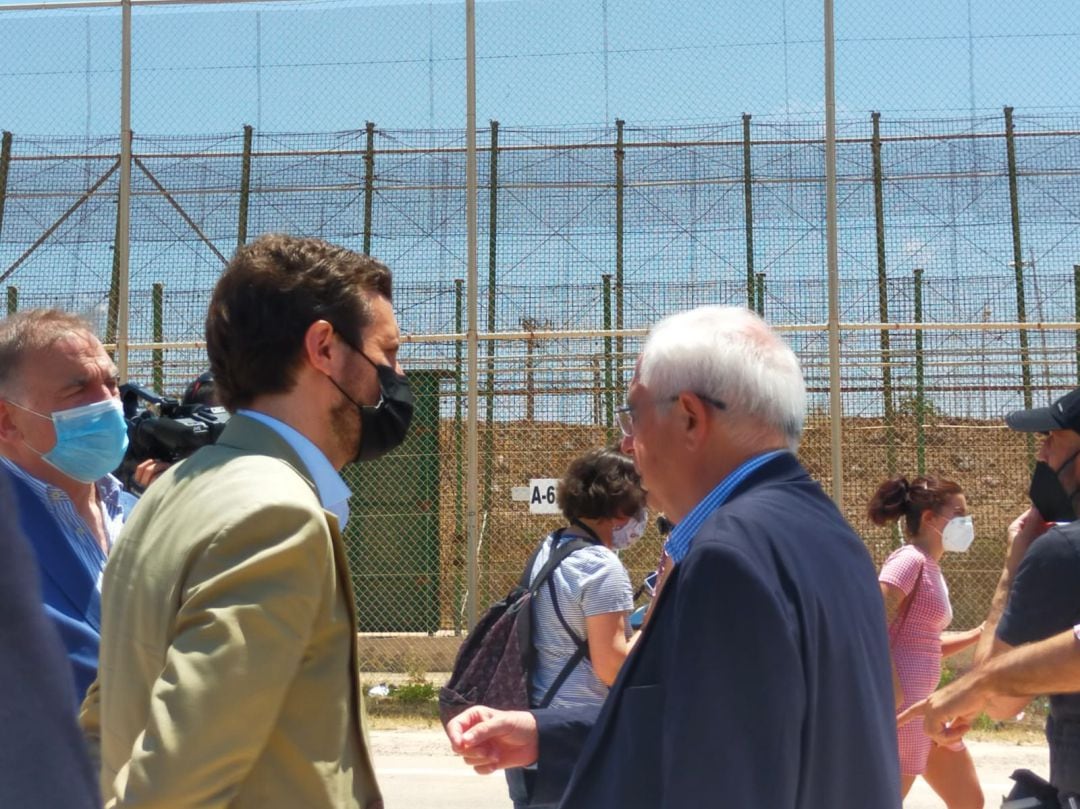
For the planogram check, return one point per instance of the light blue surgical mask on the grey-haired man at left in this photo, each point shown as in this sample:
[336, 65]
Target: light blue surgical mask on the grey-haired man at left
[91, 440]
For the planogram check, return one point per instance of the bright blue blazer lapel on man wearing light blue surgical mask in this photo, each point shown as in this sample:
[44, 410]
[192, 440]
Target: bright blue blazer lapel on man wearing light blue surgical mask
[57, 560]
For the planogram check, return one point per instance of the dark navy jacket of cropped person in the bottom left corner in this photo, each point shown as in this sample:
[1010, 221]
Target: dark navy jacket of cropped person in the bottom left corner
[44, 762]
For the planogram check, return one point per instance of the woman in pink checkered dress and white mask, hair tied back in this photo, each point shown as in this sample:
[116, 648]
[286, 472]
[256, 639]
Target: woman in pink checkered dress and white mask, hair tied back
[917, 608]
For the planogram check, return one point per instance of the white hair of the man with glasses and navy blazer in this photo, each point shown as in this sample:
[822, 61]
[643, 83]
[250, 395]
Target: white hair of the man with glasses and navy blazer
[731, 355]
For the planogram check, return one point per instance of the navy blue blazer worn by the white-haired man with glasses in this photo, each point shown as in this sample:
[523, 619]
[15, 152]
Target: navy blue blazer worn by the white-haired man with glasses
[763, 680]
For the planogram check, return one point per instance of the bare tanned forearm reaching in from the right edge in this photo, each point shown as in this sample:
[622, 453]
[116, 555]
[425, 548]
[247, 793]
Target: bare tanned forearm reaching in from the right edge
[1048, 667]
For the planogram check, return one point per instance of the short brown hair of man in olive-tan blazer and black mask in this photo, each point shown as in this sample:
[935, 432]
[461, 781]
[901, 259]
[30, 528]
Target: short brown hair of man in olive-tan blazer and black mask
[272, 292]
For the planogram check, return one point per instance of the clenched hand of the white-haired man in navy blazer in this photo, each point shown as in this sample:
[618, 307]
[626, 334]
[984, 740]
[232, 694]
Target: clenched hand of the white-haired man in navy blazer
[491, 740]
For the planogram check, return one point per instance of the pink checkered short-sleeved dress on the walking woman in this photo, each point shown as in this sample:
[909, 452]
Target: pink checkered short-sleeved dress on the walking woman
[915, 641]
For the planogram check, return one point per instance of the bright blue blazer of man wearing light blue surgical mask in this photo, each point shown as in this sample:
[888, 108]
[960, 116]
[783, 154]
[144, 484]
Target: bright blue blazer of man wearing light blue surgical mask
[69, 590]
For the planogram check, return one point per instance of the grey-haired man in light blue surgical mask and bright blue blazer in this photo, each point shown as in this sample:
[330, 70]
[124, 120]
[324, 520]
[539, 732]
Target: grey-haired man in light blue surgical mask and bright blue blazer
[62, 432]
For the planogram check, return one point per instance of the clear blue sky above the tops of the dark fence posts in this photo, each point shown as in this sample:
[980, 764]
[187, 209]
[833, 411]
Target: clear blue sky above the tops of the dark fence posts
[330, 66]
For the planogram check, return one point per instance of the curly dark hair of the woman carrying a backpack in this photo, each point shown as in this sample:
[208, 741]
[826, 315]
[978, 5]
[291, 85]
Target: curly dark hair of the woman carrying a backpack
[602, 483]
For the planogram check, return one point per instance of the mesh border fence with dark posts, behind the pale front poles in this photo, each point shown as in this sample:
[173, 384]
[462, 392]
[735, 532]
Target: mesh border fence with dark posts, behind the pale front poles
[960, 299]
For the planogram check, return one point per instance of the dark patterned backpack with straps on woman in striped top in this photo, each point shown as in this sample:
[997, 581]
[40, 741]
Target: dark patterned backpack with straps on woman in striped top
[495, 664]
